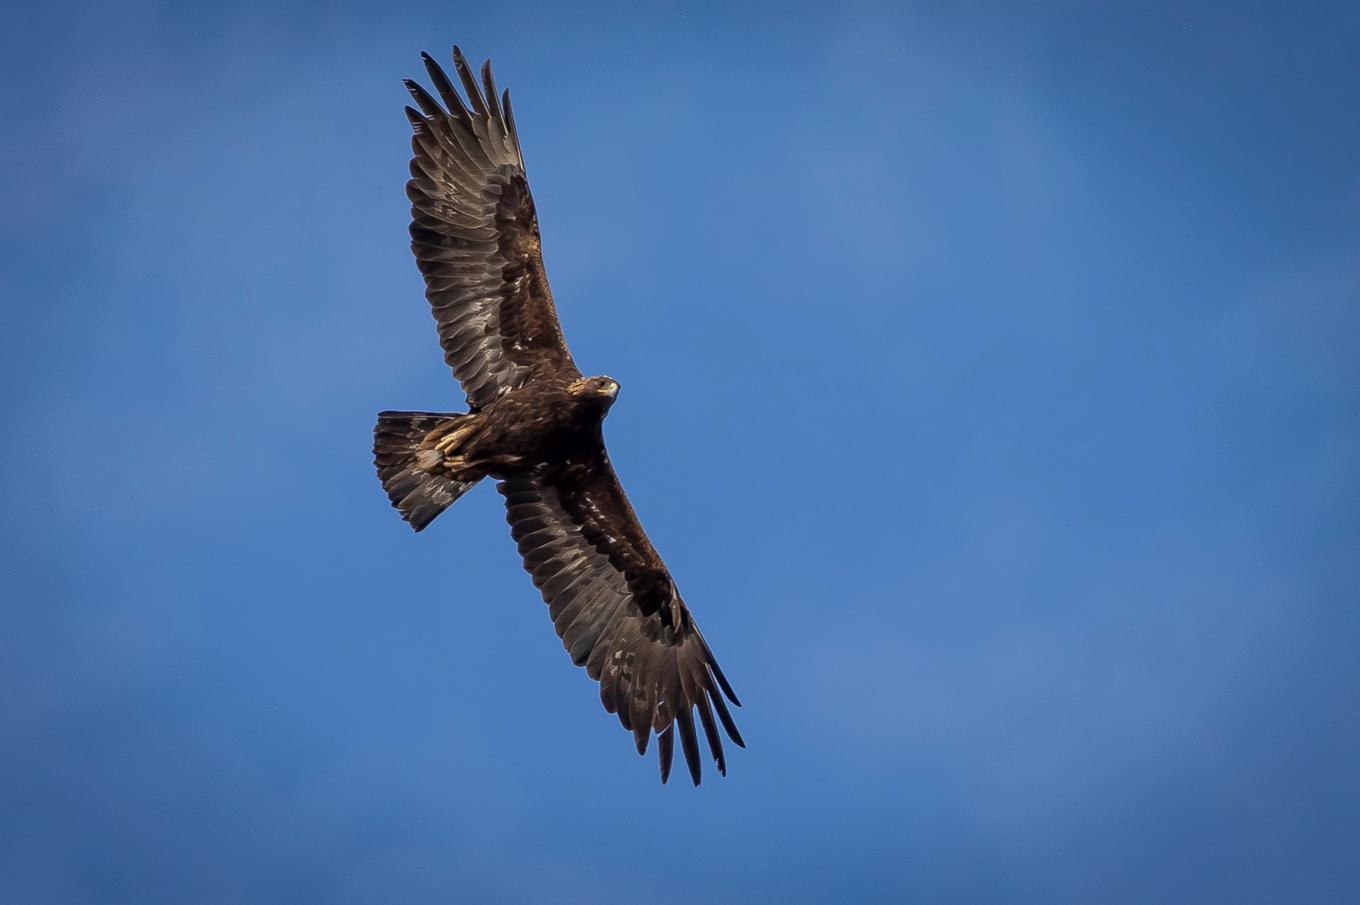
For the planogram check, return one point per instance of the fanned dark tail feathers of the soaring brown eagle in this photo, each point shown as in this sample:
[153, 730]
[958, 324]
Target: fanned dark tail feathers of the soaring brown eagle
[403, 465]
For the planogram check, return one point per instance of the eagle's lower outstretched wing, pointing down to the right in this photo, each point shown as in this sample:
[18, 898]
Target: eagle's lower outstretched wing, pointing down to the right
[617, 609]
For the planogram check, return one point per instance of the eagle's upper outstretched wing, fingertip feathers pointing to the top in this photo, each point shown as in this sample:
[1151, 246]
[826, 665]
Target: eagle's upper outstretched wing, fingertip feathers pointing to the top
[475, 236]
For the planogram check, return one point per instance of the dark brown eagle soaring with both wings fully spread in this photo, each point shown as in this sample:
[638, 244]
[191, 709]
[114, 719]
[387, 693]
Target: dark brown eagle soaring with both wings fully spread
[535, 425]
